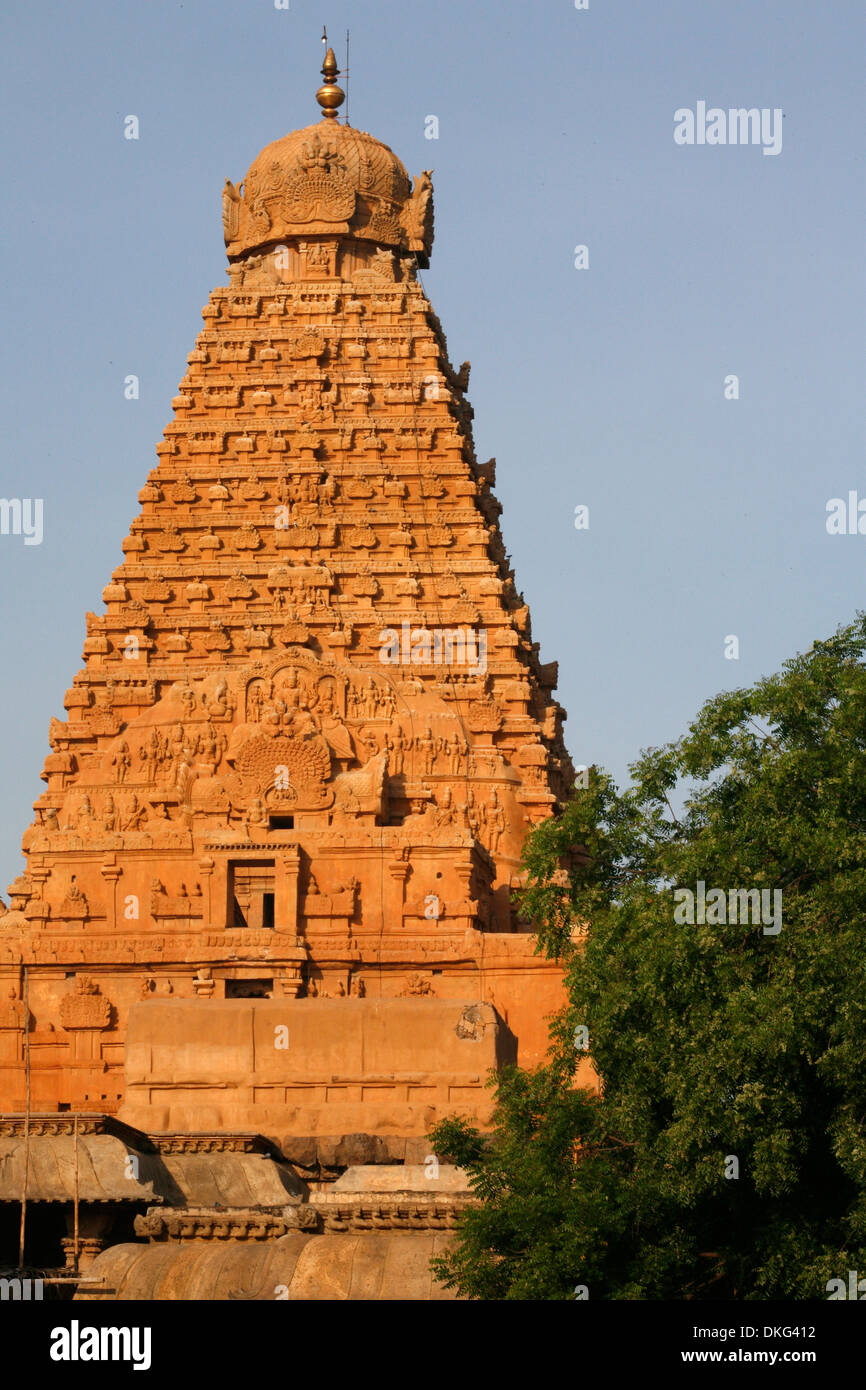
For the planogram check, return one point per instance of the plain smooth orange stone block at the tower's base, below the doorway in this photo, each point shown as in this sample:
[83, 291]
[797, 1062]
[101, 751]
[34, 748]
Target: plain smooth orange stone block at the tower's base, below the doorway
[288, 1067]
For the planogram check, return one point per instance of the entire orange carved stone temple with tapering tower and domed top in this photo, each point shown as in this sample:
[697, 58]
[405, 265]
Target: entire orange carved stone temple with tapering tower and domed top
[266, 935]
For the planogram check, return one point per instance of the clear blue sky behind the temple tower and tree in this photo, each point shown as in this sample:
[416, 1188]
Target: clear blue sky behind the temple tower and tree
[600, 387]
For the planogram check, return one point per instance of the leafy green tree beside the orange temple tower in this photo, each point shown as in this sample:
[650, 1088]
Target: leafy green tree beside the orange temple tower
[726, 1156]
